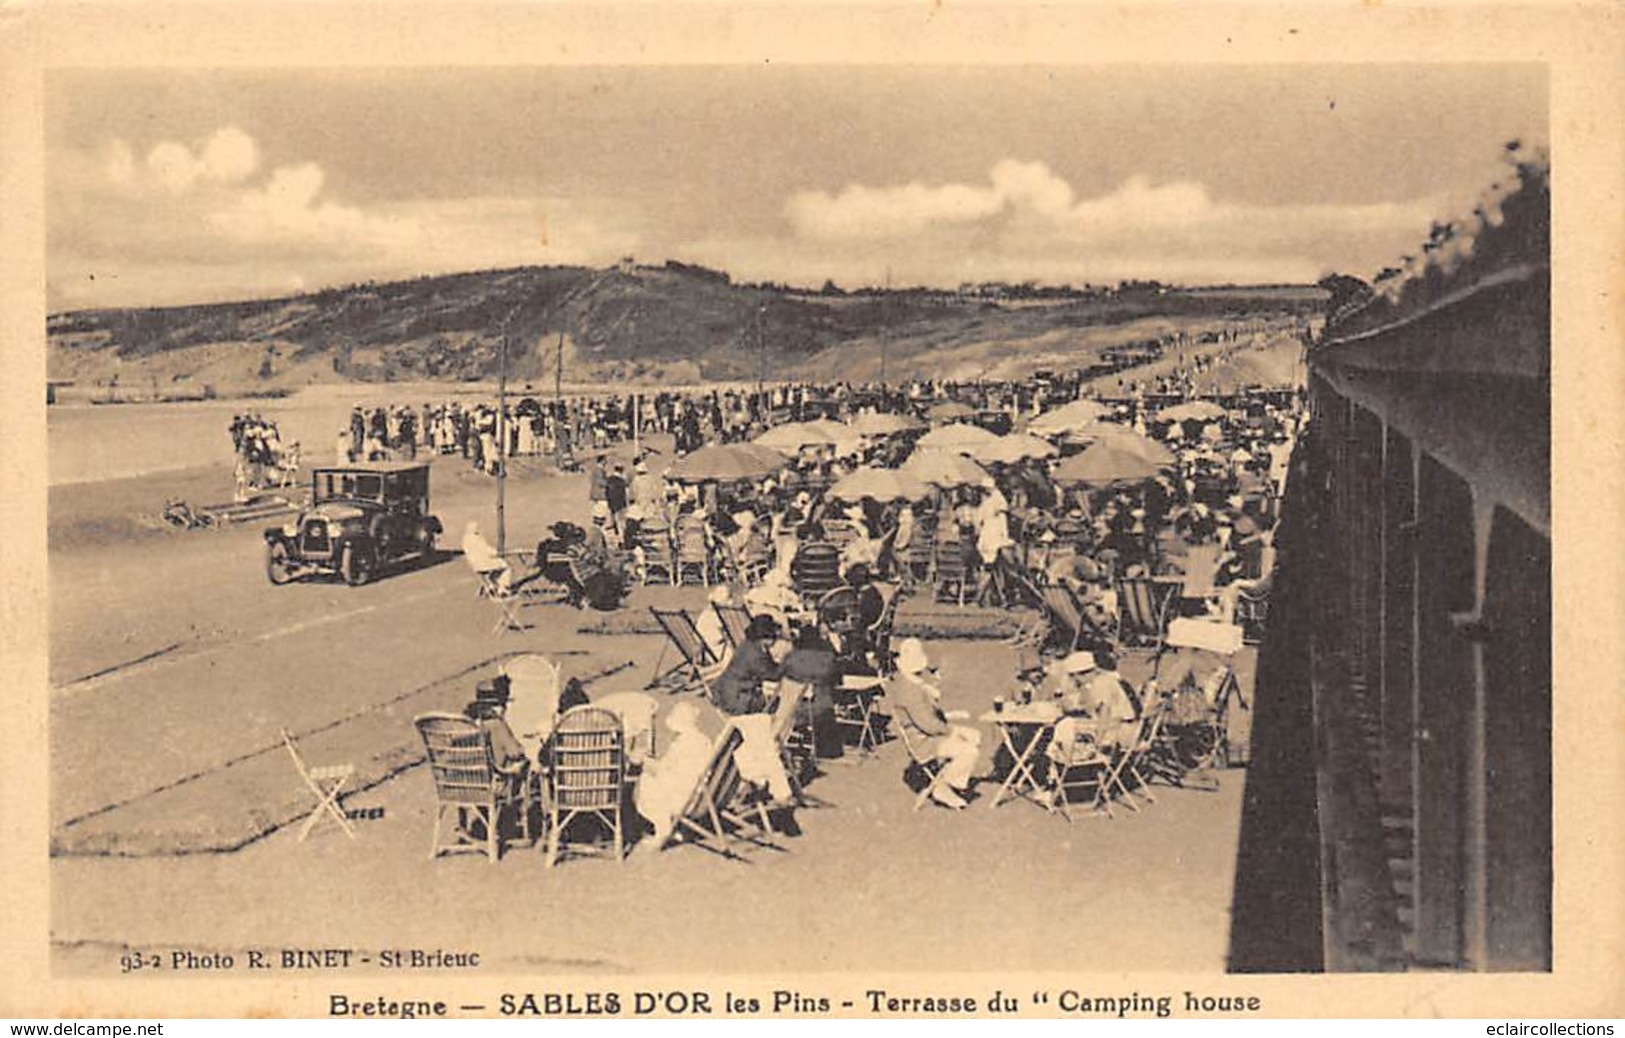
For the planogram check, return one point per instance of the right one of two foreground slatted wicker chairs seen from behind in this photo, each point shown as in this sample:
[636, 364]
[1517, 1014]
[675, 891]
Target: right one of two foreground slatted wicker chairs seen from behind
[586, 781]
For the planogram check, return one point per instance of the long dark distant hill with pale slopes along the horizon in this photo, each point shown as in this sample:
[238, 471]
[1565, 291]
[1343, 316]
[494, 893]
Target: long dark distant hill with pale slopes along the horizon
[648, 324]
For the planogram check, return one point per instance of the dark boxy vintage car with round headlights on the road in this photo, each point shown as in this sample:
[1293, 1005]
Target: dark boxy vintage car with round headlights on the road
[362, 519]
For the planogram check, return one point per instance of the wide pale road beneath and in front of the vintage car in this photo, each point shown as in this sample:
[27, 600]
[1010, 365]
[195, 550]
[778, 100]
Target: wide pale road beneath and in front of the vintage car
[171, 655]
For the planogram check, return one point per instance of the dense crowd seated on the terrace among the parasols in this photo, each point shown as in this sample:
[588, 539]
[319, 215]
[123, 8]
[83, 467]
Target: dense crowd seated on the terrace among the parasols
[820, 569]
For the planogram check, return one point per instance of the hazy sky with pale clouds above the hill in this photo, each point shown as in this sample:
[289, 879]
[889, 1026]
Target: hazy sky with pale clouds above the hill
[197, 186]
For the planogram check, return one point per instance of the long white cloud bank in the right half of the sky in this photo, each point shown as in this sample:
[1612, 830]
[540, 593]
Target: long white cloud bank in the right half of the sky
[1028, 223]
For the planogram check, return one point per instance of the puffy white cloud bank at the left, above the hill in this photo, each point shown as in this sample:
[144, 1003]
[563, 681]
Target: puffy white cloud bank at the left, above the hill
[199, 223]
